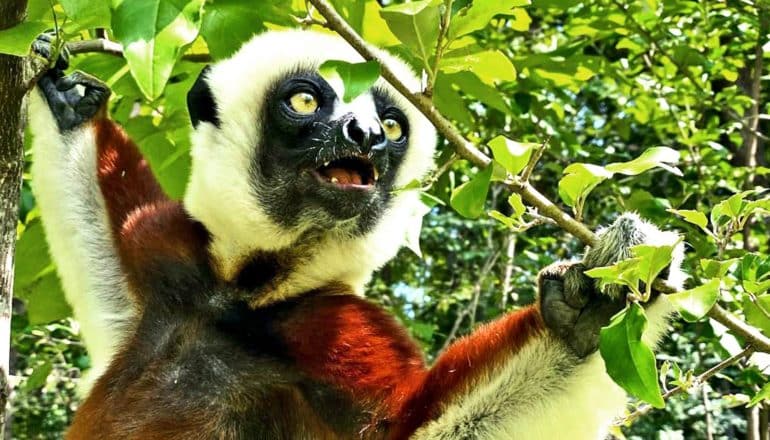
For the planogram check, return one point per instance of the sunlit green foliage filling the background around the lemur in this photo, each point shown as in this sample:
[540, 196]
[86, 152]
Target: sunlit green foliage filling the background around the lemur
[612, 94]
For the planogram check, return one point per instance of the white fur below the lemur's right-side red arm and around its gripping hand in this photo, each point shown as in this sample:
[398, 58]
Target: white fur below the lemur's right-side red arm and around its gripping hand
[542, 392]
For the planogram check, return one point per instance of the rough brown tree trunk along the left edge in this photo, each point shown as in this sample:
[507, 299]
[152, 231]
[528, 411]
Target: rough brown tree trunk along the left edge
[12, 89]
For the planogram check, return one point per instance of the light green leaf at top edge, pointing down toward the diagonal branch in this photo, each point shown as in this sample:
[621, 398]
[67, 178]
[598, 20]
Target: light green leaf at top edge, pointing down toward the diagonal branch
[416, 24]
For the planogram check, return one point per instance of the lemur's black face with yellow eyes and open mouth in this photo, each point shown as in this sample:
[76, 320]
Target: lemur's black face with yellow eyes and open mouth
[322, 165]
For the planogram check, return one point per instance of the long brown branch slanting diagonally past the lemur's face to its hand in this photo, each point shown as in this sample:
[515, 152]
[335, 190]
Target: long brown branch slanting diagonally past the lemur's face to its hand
[468, 151]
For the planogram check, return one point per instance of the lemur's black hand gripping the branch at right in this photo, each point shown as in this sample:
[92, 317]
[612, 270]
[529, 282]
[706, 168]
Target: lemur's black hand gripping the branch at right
[572, 308]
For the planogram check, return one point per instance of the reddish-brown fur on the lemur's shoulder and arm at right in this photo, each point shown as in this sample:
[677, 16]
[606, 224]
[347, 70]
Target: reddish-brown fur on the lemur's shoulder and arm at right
[356, 346]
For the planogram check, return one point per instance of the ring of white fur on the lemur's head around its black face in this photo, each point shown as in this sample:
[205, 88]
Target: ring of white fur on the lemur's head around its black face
[220, 193]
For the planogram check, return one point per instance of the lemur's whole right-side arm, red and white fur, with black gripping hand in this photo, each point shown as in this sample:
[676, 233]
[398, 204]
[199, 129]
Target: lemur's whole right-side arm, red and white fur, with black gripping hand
[533, 373]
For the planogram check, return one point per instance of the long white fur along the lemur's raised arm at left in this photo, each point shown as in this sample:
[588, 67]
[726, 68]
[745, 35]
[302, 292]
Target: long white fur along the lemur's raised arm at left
[74, 217]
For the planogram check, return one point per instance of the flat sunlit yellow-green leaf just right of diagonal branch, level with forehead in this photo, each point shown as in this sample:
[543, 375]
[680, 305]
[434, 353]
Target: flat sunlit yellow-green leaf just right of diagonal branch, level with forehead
[490, 66]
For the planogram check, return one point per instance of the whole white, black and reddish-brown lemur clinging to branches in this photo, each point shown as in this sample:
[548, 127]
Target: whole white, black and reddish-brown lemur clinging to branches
[237, 313]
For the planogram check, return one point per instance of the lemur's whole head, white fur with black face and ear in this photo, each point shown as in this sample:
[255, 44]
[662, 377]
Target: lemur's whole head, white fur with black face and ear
[281, 161]
